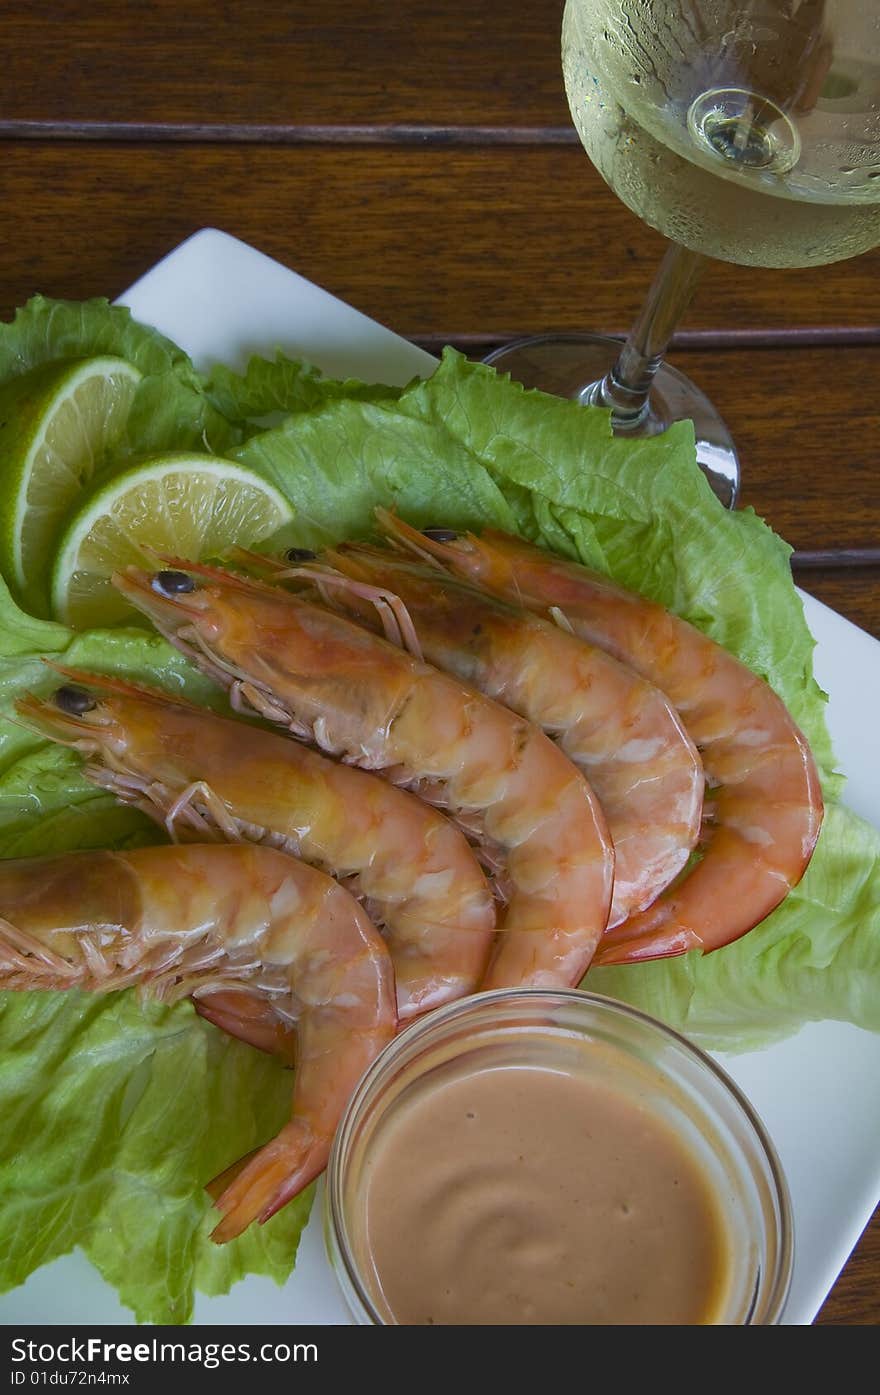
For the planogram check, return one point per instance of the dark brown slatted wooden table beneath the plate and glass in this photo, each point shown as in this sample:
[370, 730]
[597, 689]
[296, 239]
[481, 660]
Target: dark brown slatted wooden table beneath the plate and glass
[418, 160]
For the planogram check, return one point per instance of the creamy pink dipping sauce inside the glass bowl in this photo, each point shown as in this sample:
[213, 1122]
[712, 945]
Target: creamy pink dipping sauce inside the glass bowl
[533, 1196]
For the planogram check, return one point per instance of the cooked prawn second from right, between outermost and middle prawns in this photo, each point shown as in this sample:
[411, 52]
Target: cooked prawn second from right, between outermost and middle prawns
[619, 729]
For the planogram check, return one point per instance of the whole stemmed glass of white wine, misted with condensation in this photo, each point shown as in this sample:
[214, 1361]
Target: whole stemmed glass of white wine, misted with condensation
[745, 132]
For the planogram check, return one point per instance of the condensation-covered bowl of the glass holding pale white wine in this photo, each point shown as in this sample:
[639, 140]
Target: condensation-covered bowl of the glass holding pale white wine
[750, 133]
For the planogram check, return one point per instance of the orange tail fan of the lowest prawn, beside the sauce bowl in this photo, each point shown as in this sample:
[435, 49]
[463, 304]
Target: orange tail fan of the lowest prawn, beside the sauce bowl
[268, 1181]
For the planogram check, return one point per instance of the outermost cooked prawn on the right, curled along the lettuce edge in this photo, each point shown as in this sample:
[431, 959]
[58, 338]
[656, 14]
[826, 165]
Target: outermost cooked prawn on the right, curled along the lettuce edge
[766, 799]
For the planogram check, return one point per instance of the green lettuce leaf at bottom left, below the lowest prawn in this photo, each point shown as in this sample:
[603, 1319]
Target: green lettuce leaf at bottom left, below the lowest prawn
[115, 1115]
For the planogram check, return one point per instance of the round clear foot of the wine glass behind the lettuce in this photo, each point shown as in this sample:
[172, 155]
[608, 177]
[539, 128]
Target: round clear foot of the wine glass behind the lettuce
[567, 365]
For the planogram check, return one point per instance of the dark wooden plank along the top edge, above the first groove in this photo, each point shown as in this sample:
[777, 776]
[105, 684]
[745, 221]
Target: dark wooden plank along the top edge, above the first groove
[287, 63]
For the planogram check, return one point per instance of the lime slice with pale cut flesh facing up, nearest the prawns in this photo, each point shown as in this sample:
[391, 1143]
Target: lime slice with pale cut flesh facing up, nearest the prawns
[179, 506]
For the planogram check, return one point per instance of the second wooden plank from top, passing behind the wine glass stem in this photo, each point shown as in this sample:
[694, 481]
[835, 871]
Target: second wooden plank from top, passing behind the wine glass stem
[439, 242]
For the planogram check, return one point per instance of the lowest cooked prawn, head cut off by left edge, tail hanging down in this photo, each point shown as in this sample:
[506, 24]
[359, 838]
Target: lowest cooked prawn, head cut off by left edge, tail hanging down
[227, 924]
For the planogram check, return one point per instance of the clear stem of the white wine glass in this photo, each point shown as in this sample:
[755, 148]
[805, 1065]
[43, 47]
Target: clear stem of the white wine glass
[627, 387]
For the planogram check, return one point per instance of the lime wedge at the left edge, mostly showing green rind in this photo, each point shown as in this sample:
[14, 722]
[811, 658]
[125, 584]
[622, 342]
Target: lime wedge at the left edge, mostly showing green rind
[56, 426]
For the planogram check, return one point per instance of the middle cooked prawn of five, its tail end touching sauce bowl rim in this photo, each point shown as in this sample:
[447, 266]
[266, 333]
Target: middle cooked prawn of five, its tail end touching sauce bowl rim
[361, 698]
